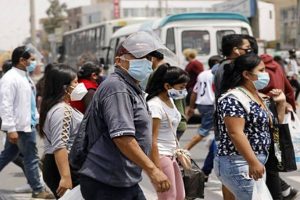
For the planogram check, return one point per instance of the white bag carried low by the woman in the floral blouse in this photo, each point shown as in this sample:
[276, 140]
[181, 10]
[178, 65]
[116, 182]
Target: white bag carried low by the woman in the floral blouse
[261, 191]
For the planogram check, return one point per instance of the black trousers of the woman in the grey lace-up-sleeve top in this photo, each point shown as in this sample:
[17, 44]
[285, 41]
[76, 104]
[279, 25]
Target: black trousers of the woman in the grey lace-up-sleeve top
[51, 174]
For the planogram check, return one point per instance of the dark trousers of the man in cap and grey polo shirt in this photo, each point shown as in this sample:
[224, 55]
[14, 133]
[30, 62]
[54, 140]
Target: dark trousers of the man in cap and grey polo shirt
[95, 190]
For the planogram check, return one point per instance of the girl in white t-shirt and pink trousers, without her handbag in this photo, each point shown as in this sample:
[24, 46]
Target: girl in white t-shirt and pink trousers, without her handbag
[167, 82]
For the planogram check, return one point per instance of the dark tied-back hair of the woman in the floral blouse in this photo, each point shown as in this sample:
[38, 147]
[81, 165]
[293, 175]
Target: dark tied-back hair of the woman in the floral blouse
[233, 76]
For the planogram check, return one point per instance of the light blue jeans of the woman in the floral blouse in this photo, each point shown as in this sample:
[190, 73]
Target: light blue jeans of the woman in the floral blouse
[233, 172]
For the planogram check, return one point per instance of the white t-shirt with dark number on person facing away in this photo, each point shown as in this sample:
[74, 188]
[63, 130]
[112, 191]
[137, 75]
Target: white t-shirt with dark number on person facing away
[204, 88]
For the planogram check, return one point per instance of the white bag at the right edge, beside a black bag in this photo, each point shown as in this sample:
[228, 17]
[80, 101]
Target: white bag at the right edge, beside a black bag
[293, 121]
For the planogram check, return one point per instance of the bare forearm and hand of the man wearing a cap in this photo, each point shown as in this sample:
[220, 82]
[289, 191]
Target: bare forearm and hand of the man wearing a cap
[131, 149]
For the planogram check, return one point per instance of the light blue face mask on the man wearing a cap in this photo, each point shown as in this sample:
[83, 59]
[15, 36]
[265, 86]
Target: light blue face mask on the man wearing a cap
[140, 69]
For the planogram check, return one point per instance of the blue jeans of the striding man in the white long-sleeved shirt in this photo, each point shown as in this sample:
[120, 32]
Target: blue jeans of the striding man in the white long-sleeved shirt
[27, 146]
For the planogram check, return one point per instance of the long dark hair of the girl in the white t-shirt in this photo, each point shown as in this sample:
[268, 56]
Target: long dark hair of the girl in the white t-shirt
[165, 74]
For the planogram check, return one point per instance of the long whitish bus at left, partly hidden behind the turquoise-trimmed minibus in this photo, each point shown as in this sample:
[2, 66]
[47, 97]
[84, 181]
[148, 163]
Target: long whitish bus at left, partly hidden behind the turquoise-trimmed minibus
[92, 39]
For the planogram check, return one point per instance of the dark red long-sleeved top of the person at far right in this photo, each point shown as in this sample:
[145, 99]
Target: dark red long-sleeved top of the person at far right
[277, 79]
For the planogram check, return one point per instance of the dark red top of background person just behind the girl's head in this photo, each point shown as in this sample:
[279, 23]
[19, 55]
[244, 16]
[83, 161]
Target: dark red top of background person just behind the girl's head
[194, 68]
